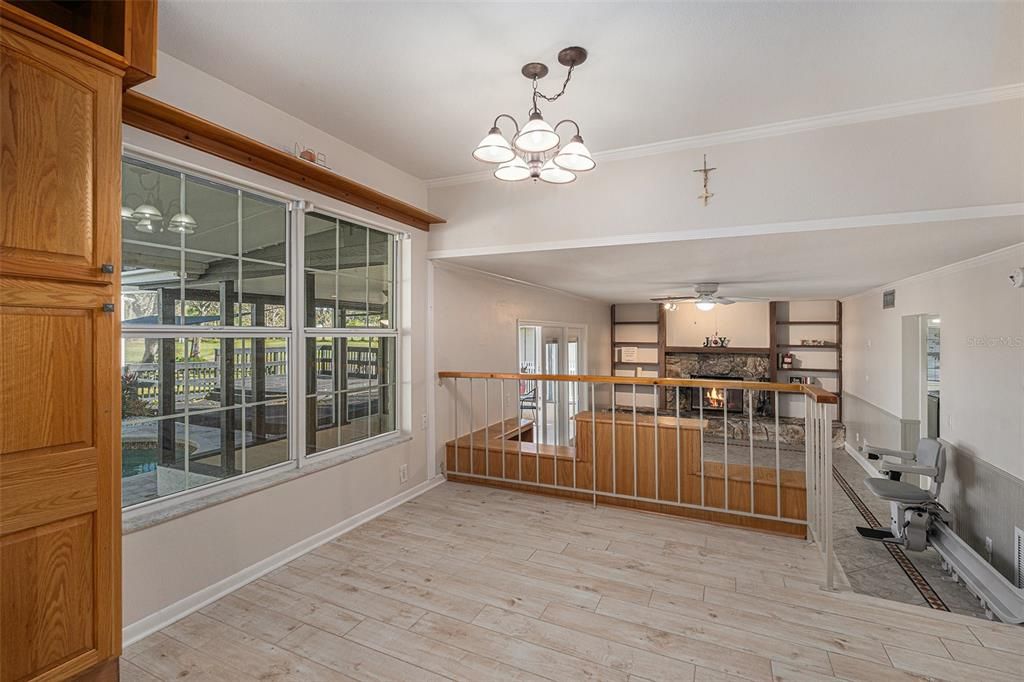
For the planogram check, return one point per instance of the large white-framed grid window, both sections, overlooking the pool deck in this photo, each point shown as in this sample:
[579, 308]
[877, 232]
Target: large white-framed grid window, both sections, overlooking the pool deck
[210, 323]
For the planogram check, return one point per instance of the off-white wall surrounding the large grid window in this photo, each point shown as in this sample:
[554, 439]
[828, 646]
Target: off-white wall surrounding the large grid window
[169, 563]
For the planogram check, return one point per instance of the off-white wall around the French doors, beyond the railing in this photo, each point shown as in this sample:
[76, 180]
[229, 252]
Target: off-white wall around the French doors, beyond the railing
[476, 320]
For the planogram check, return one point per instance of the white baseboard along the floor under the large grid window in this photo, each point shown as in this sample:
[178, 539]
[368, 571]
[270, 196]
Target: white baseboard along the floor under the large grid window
[165, 617]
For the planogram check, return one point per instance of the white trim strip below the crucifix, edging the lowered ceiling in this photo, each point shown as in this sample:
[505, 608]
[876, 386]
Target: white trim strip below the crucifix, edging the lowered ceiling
[846, 223]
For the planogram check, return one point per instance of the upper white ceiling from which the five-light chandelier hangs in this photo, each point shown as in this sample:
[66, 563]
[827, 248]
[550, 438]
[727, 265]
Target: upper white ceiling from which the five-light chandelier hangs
[418, 84]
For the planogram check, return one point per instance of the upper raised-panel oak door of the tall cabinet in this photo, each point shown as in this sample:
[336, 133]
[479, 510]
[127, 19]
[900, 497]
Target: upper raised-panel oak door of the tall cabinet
[59, 146]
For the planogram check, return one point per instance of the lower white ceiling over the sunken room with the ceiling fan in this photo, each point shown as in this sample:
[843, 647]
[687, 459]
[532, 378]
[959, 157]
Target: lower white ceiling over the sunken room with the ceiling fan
[796, 266]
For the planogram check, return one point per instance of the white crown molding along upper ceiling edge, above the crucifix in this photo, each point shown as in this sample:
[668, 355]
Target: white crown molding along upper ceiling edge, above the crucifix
[911, 108]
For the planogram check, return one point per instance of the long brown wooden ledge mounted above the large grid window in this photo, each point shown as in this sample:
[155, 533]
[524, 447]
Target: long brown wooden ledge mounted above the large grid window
[158, 118]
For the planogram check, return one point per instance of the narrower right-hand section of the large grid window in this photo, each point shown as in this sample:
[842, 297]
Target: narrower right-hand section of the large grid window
[350, 333]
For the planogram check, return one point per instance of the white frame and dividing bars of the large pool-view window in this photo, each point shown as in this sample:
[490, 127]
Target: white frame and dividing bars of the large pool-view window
[294, 332]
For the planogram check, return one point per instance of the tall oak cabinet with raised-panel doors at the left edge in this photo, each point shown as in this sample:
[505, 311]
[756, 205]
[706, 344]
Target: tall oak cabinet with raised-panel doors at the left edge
[60, 407]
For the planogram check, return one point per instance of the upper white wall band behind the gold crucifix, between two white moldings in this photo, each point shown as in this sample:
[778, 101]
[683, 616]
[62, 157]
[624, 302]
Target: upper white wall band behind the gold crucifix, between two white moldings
[958, 158]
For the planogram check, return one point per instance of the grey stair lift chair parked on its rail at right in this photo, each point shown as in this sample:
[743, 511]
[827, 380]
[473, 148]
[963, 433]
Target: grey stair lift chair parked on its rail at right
[913, 510]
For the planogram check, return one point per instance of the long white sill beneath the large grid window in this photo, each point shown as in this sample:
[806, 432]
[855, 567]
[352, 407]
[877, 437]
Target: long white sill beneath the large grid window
[162, 511]
